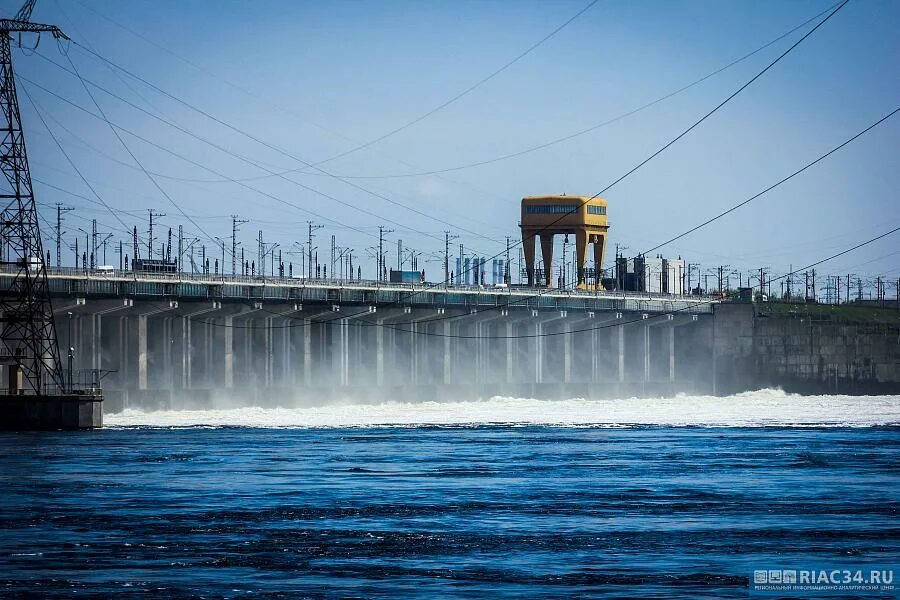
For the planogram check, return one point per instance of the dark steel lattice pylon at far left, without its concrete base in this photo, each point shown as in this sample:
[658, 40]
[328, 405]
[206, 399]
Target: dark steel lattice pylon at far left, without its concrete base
[28, 344]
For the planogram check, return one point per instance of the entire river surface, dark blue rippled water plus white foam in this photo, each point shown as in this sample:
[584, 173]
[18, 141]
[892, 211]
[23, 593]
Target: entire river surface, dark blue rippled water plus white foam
[680, 497]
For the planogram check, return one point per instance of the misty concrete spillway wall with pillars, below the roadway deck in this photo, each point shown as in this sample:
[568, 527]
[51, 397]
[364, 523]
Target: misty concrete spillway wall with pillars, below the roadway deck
[195, 354]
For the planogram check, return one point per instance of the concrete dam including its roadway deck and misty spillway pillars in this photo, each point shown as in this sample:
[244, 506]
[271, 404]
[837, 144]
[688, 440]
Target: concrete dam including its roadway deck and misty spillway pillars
[179, 340]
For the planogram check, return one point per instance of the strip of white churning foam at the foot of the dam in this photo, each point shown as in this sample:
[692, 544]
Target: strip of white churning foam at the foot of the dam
[762, 408]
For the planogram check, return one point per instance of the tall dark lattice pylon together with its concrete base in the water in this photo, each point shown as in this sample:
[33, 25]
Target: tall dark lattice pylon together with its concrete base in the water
[37, 395]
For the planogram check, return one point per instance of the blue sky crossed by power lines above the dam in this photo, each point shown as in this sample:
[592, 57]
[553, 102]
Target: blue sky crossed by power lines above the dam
[318, 78]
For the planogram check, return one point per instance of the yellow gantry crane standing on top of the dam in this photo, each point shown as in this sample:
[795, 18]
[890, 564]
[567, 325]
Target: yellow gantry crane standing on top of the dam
[546, 216]
